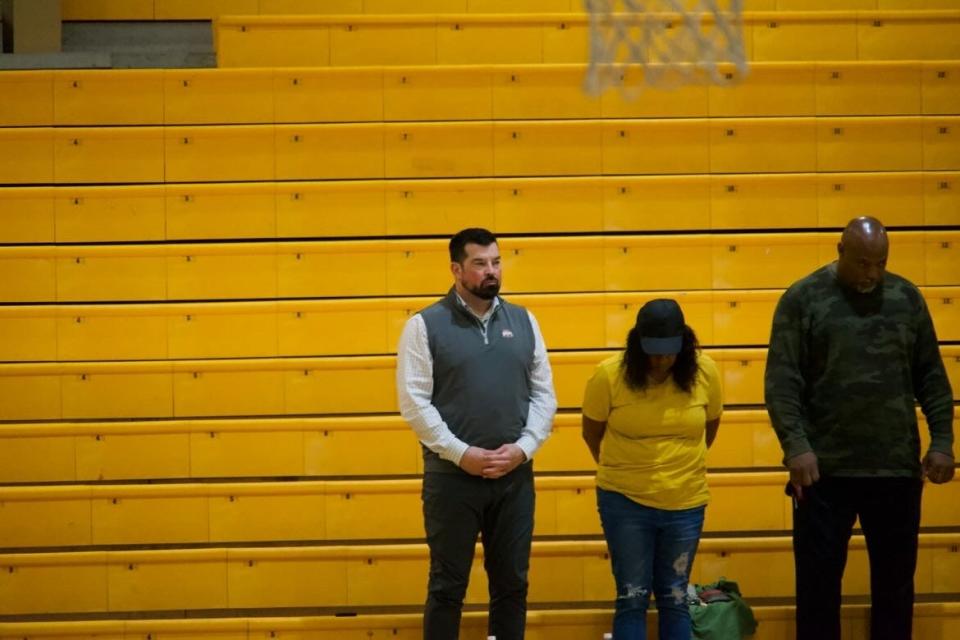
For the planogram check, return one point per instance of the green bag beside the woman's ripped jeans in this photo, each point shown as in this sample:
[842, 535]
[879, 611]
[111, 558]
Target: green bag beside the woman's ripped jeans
[719, 612]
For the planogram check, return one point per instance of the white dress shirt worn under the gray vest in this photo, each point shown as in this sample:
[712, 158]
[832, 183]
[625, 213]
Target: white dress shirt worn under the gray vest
[415, 390]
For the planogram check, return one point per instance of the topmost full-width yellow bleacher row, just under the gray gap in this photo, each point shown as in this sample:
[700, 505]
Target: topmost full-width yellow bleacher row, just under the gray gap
[478, 92]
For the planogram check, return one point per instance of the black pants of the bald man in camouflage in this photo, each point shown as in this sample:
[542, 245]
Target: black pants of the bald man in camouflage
[889, 511]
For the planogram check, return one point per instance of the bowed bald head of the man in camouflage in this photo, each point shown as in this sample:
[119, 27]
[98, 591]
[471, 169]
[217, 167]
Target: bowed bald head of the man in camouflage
[862, 254]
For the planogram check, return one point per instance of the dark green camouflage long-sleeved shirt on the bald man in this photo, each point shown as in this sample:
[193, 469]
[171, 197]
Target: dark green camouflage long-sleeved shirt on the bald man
[844, 370]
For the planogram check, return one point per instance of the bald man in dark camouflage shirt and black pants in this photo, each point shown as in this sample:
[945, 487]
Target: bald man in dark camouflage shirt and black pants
[852, 349]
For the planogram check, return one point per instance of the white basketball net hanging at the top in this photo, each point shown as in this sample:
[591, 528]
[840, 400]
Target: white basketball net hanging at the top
[664, 43]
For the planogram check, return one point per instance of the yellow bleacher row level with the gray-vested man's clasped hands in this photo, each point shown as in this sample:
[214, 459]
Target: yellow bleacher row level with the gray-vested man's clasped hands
[313, 447]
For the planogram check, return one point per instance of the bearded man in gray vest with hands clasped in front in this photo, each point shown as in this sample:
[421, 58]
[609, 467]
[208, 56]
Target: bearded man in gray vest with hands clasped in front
[475, 385]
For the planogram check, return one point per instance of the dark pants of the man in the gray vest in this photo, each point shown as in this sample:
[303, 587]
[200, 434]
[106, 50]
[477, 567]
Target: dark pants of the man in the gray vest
[458, 507]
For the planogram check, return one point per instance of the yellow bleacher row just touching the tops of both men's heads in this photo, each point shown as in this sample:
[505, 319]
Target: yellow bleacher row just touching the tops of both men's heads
[280, 210]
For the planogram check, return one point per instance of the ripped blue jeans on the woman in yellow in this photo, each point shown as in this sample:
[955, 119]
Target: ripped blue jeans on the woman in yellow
[652, 551]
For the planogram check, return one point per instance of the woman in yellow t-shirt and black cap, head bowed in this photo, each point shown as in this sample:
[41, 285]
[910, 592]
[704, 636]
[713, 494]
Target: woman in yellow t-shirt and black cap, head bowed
[649, 414]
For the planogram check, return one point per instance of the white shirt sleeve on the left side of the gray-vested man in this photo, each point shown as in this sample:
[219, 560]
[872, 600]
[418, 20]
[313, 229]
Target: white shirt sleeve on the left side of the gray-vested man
[415, 391]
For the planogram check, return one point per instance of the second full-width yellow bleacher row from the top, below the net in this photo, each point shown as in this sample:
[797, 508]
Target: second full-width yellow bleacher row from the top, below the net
[477, 149]
